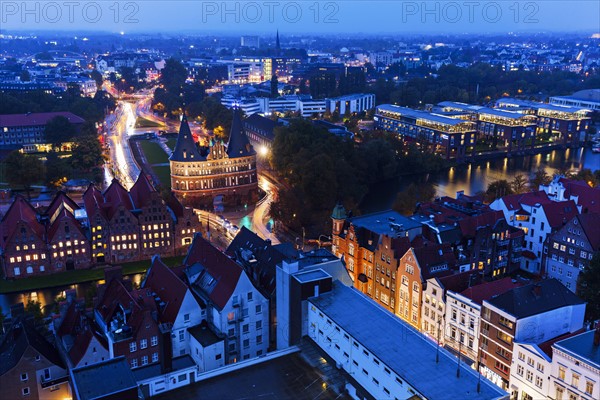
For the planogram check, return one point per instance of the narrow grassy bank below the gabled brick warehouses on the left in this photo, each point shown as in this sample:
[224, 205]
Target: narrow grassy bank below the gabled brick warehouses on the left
[77, 276]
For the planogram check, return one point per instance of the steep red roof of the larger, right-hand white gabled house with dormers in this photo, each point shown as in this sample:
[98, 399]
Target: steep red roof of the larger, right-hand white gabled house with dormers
[223, 269]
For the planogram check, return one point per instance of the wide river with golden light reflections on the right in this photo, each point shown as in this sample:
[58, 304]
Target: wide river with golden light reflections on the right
[475, 177]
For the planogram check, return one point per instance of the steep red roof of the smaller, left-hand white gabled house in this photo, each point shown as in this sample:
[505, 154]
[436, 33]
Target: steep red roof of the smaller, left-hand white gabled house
[168, 286]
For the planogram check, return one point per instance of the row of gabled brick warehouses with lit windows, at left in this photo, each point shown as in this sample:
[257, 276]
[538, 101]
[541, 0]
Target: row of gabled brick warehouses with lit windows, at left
[110, 227]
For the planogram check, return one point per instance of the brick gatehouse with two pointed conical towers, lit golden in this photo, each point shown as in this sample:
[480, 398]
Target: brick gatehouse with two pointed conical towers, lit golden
[229, 171]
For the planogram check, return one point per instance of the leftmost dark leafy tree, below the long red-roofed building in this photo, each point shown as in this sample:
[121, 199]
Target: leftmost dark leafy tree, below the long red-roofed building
[23, 171]
